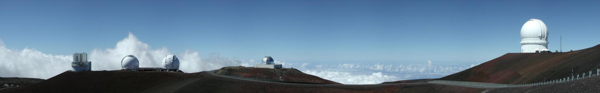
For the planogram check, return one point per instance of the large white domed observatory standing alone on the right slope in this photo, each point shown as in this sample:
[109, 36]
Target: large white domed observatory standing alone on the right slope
[534, 36]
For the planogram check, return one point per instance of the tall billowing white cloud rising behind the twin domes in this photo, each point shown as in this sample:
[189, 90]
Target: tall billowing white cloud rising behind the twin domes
[190, 61]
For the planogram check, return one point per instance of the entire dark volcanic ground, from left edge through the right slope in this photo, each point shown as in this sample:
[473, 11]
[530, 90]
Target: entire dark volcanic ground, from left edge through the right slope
[511, 68]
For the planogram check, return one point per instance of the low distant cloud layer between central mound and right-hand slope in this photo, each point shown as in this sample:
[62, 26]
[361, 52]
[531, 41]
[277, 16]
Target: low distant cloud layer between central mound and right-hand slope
[375, 73]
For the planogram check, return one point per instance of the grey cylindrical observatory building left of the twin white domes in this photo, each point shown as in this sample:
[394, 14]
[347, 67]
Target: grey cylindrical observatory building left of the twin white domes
[80, 62]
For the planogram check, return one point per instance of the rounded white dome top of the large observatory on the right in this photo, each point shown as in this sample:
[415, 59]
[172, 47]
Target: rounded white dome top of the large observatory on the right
[534, 28]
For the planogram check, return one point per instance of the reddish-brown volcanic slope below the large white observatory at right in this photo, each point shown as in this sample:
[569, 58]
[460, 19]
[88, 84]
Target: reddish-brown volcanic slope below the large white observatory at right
[519, 68]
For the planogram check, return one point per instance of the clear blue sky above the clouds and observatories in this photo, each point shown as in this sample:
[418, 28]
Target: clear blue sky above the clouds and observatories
[309, 30]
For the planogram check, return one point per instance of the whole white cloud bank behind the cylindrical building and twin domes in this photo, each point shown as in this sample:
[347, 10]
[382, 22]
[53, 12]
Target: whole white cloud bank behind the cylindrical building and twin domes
[35, 64]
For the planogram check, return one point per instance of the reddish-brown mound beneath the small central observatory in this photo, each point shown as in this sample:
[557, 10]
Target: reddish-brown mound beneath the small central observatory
[284, 75]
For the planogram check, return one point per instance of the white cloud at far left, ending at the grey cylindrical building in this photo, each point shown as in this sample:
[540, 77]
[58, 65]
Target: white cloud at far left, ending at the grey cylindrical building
[31, 63]
